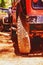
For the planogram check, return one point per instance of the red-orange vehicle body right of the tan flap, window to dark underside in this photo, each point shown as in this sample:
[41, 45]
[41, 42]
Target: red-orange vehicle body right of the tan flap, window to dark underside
[34, 9]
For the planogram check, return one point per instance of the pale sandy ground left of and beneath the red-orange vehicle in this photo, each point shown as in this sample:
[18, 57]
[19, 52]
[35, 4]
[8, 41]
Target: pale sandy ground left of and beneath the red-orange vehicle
[7, 55]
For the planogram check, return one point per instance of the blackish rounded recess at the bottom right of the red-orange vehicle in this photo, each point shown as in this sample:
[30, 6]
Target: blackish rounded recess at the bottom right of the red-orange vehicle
[37, 43]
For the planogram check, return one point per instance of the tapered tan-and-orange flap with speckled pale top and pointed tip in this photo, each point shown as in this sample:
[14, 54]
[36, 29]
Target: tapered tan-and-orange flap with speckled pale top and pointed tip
[23, 38]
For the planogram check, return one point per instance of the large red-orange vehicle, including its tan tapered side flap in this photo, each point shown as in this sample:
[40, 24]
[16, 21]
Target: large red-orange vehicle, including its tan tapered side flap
[30, 25]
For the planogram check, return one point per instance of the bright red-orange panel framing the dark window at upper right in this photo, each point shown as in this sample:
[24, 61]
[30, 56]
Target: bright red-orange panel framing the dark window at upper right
[31, 11]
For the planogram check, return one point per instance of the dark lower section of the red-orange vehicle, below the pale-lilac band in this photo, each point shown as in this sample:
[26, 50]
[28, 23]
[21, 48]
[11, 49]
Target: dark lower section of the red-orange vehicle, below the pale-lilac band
[36, 37]
